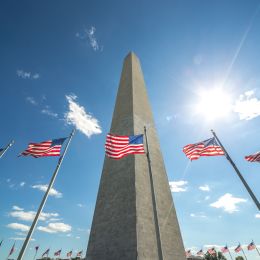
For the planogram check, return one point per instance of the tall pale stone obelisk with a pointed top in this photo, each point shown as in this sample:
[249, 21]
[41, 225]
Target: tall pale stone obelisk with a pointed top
[135, 217]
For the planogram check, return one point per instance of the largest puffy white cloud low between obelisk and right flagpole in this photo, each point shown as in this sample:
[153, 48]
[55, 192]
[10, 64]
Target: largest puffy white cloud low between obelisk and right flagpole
[228, 203]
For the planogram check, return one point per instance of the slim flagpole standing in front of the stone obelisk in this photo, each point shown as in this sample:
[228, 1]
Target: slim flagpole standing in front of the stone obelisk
[157, 228]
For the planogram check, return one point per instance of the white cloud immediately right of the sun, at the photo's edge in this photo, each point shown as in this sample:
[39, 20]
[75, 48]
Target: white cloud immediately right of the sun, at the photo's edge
[247, 106]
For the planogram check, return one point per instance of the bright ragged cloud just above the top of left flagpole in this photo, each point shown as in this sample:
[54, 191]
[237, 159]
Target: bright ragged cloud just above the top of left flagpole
[78, 117]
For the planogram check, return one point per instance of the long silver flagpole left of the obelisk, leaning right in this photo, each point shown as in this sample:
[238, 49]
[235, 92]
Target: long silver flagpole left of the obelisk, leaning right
[26, 241]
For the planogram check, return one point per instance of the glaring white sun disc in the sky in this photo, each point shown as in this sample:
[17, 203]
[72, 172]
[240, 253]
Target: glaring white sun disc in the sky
[213, 103]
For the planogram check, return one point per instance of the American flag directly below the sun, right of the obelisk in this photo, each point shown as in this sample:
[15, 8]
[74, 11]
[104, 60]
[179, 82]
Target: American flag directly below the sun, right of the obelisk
[208, 147]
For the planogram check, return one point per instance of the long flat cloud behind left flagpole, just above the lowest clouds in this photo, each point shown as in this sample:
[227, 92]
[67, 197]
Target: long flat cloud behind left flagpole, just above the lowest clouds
[29, 215]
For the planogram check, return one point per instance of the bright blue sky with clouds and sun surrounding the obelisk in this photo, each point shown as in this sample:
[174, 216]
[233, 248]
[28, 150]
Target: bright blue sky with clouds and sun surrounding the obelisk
[61, 62]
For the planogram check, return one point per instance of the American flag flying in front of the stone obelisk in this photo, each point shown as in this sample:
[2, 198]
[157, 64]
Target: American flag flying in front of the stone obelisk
[118, 146]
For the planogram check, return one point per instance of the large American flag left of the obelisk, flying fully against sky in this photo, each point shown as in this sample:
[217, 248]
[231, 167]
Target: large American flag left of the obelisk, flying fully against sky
[46, 148]
